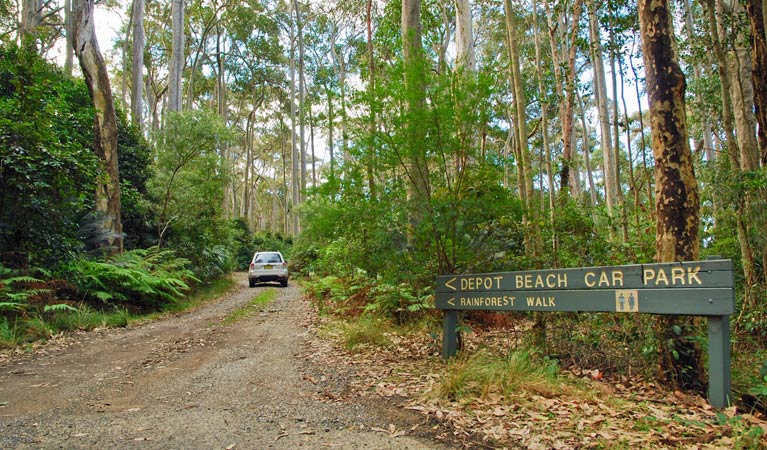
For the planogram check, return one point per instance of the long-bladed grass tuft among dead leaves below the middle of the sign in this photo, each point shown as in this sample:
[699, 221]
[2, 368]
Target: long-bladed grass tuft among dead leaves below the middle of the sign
[482, 373]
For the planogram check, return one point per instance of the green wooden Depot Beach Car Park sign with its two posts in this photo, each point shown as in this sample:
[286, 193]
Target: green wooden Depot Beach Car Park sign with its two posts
[696, 288]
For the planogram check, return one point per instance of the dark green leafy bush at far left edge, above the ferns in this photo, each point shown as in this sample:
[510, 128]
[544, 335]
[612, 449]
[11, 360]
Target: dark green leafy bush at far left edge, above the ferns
[48, 170]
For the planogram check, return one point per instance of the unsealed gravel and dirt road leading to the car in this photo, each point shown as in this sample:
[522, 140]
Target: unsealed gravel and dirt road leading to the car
[191, 382]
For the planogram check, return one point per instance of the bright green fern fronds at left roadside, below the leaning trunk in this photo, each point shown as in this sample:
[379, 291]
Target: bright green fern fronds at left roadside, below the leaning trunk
[140, 278]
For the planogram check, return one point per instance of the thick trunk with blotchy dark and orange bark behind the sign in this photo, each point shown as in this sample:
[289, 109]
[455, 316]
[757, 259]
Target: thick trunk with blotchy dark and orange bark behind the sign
[677, 202]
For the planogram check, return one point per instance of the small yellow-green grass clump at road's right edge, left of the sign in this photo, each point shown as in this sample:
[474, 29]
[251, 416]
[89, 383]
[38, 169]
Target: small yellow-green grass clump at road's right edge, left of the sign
[368, 331]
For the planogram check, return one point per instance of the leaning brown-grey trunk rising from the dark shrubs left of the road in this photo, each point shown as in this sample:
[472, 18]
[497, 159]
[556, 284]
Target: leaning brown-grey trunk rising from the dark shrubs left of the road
[107, 204]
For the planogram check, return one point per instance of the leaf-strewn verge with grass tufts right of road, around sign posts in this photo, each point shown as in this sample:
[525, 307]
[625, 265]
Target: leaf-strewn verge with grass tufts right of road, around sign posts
[504, 391]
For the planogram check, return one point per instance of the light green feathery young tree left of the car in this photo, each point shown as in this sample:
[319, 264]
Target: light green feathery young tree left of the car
[188, 188]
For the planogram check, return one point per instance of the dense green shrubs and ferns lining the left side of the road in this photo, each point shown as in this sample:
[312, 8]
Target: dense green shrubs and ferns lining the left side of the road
[55, 275]
